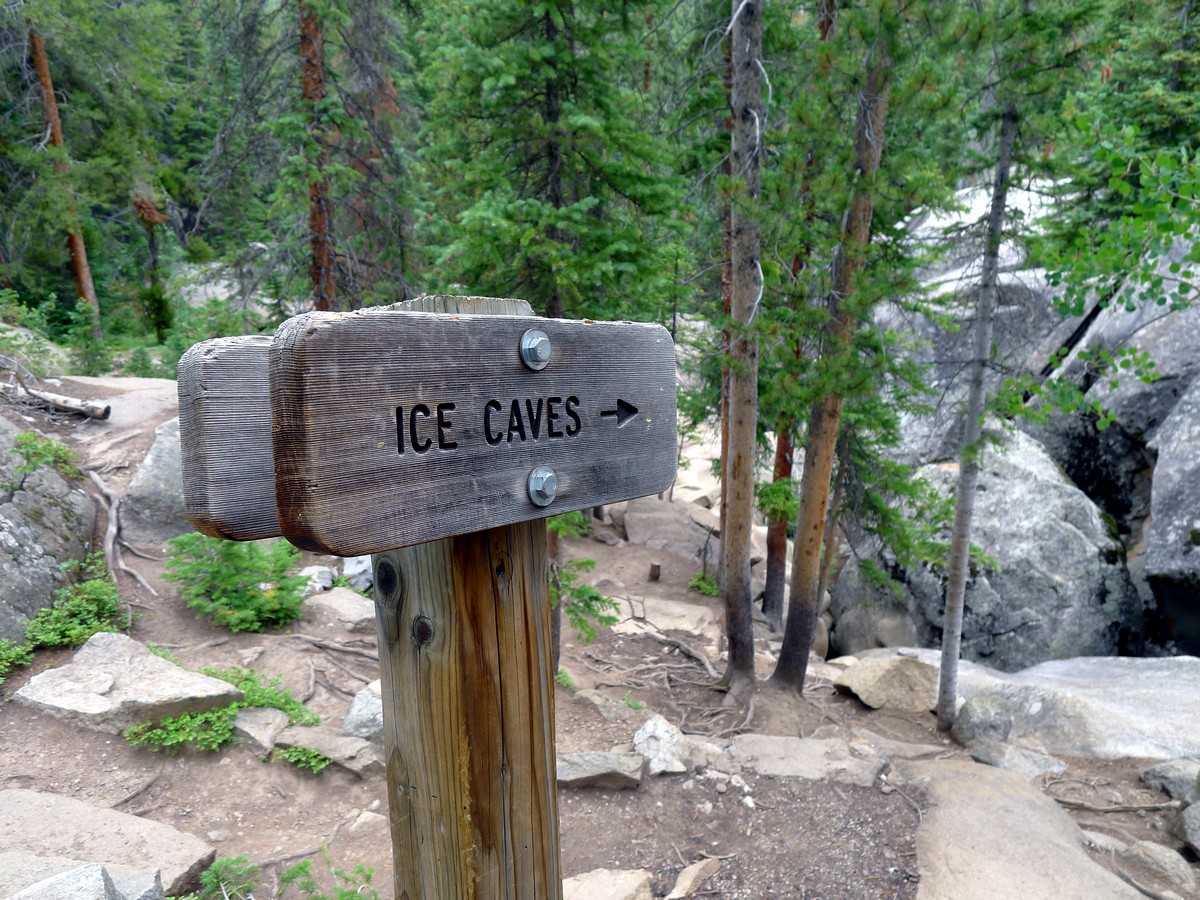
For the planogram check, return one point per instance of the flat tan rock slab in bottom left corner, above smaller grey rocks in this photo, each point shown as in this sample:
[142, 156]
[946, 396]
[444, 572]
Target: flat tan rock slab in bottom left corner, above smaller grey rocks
[52, 826]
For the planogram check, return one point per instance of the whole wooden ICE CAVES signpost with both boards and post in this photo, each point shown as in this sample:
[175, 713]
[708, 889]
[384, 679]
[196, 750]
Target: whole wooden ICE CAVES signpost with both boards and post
[439, 437]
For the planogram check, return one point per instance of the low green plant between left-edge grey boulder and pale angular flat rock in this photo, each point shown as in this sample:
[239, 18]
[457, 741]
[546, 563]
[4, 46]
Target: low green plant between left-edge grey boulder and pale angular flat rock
[80, 610]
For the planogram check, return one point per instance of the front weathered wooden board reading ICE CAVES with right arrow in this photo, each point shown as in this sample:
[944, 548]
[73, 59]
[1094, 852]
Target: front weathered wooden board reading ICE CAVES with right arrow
[393, 429]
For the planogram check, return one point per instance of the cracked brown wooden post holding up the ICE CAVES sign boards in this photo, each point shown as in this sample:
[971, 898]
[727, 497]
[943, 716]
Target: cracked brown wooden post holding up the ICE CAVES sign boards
[469, 699]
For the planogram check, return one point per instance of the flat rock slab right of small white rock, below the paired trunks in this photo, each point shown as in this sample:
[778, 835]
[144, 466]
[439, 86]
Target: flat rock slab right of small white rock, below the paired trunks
[854, 763]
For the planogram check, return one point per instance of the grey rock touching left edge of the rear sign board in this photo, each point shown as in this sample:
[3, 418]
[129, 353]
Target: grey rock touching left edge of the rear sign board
[153, 511]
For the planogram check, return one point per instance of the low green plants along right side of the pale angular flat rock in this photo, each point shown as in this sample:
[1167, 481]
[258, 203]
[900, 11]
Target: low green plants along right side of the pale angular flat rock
[213, 729]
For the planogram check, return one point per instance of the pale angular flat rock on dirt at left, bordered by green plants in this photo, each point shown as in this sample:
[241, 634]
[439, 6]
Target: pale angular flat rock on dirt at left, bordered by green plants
[115, 682]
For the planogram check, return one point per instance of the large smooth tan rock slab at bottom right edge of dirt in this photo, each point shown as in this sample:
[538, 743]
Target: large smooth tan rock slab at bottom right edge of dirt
[988, 833]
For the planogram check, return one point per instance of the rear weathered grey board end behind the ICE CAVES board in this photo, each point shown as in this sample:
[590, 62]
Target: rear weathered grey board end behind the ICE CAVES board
[225, 429]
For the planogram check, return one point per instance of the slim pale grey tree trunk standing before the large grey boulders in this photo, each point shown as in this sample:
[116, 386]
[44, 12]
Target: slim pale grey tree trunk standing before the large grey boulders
[973, 429]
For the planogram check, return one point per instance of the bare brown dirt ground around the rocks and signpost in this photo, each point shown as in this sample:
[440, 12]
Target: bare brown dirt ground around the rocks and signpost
[801, 839]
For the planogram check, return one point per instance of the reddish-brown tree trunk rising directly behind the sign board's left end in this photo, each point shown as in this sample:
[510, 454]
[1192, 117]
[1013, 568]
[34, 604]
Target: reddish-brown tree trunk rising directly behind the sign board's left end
[323, 273]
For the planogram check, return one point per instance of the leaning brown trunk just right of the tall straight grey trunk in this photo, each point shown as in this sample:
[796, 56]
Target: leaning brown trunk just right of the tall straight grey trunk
[826, 415]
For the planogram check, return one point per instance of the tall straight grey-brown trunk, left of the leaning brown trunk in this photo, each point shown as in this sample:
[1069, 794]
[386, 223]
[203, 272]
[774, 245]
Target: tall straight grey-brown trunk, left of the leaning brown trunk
[746, 159]
